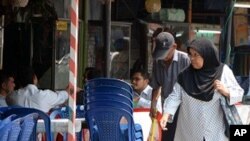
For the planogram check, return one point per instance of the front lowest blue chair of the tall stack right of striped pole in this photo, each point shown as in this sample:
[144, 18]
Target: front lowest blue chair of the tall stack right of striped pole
[104, 123]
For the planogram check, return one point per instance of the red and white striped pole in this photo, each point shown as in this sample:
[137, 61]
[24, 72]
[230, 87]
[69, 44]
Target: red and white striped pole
[73, 68]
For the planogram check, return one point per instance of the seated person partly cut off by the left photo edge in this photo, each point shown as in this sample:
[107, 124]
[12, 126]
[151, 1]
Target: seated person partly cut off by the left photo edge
[7, 86]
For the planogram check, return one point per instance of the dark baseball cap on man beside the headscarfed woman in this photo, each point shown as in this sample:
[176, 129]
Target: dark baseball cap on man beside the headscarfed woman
[163, 42]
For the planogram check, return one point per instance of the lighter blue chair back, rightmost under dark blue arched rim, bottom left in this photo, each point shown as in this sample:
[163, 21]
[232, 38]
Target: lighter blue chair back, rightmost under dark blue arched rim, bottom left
[28, 127]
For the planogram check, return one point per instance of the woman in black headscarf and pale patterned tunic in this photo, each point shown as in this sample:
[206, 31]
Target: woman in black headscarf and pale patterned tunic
[197, 92]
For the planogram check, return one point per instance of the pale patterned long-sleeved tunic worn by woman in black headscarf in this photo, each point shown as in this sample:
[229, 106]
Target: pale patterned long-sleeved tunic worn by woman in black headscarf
[198, 119]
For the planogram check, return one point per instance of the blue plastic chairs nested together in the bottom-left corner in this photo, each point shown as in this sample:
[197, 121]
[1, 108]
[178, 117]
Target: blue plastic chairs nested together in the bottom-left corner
[19, 124]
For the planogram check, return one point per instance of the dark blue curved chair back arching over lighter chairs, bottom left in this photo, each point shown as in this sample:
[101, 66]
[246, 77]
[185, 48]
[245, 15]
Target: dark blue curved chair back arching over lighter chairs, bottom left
[23, 111]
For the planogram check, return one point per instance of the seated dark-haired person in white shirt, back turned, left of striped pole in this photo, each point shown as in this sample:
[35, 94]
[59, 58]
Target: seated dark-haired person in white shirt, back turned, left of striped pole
[29, 95]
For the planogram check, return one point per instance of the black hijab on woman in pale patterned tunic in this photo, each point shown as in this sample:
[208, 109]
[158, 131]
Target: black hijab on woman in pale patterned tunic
[198, 83]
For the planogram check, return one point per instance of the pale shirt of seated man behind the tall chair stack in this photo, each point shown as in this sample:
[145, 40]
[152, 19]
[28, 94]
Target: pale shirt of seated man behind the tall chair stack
[145, 99]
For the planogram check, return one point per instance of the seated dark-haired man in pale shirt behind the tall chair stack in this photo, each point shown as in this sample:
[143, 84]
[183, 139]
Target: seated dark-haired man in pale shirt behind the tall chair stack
[142, 90]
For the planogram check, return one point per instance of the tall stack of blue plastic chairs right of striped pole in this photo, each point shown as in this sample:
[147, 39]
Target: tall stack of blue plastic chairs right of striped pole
[108, 102]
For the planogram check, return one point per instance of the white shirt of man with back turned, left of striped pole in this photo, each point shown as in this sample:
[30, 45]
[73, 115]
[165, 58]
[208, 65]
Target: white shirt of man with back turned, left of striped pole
[31, 96]
